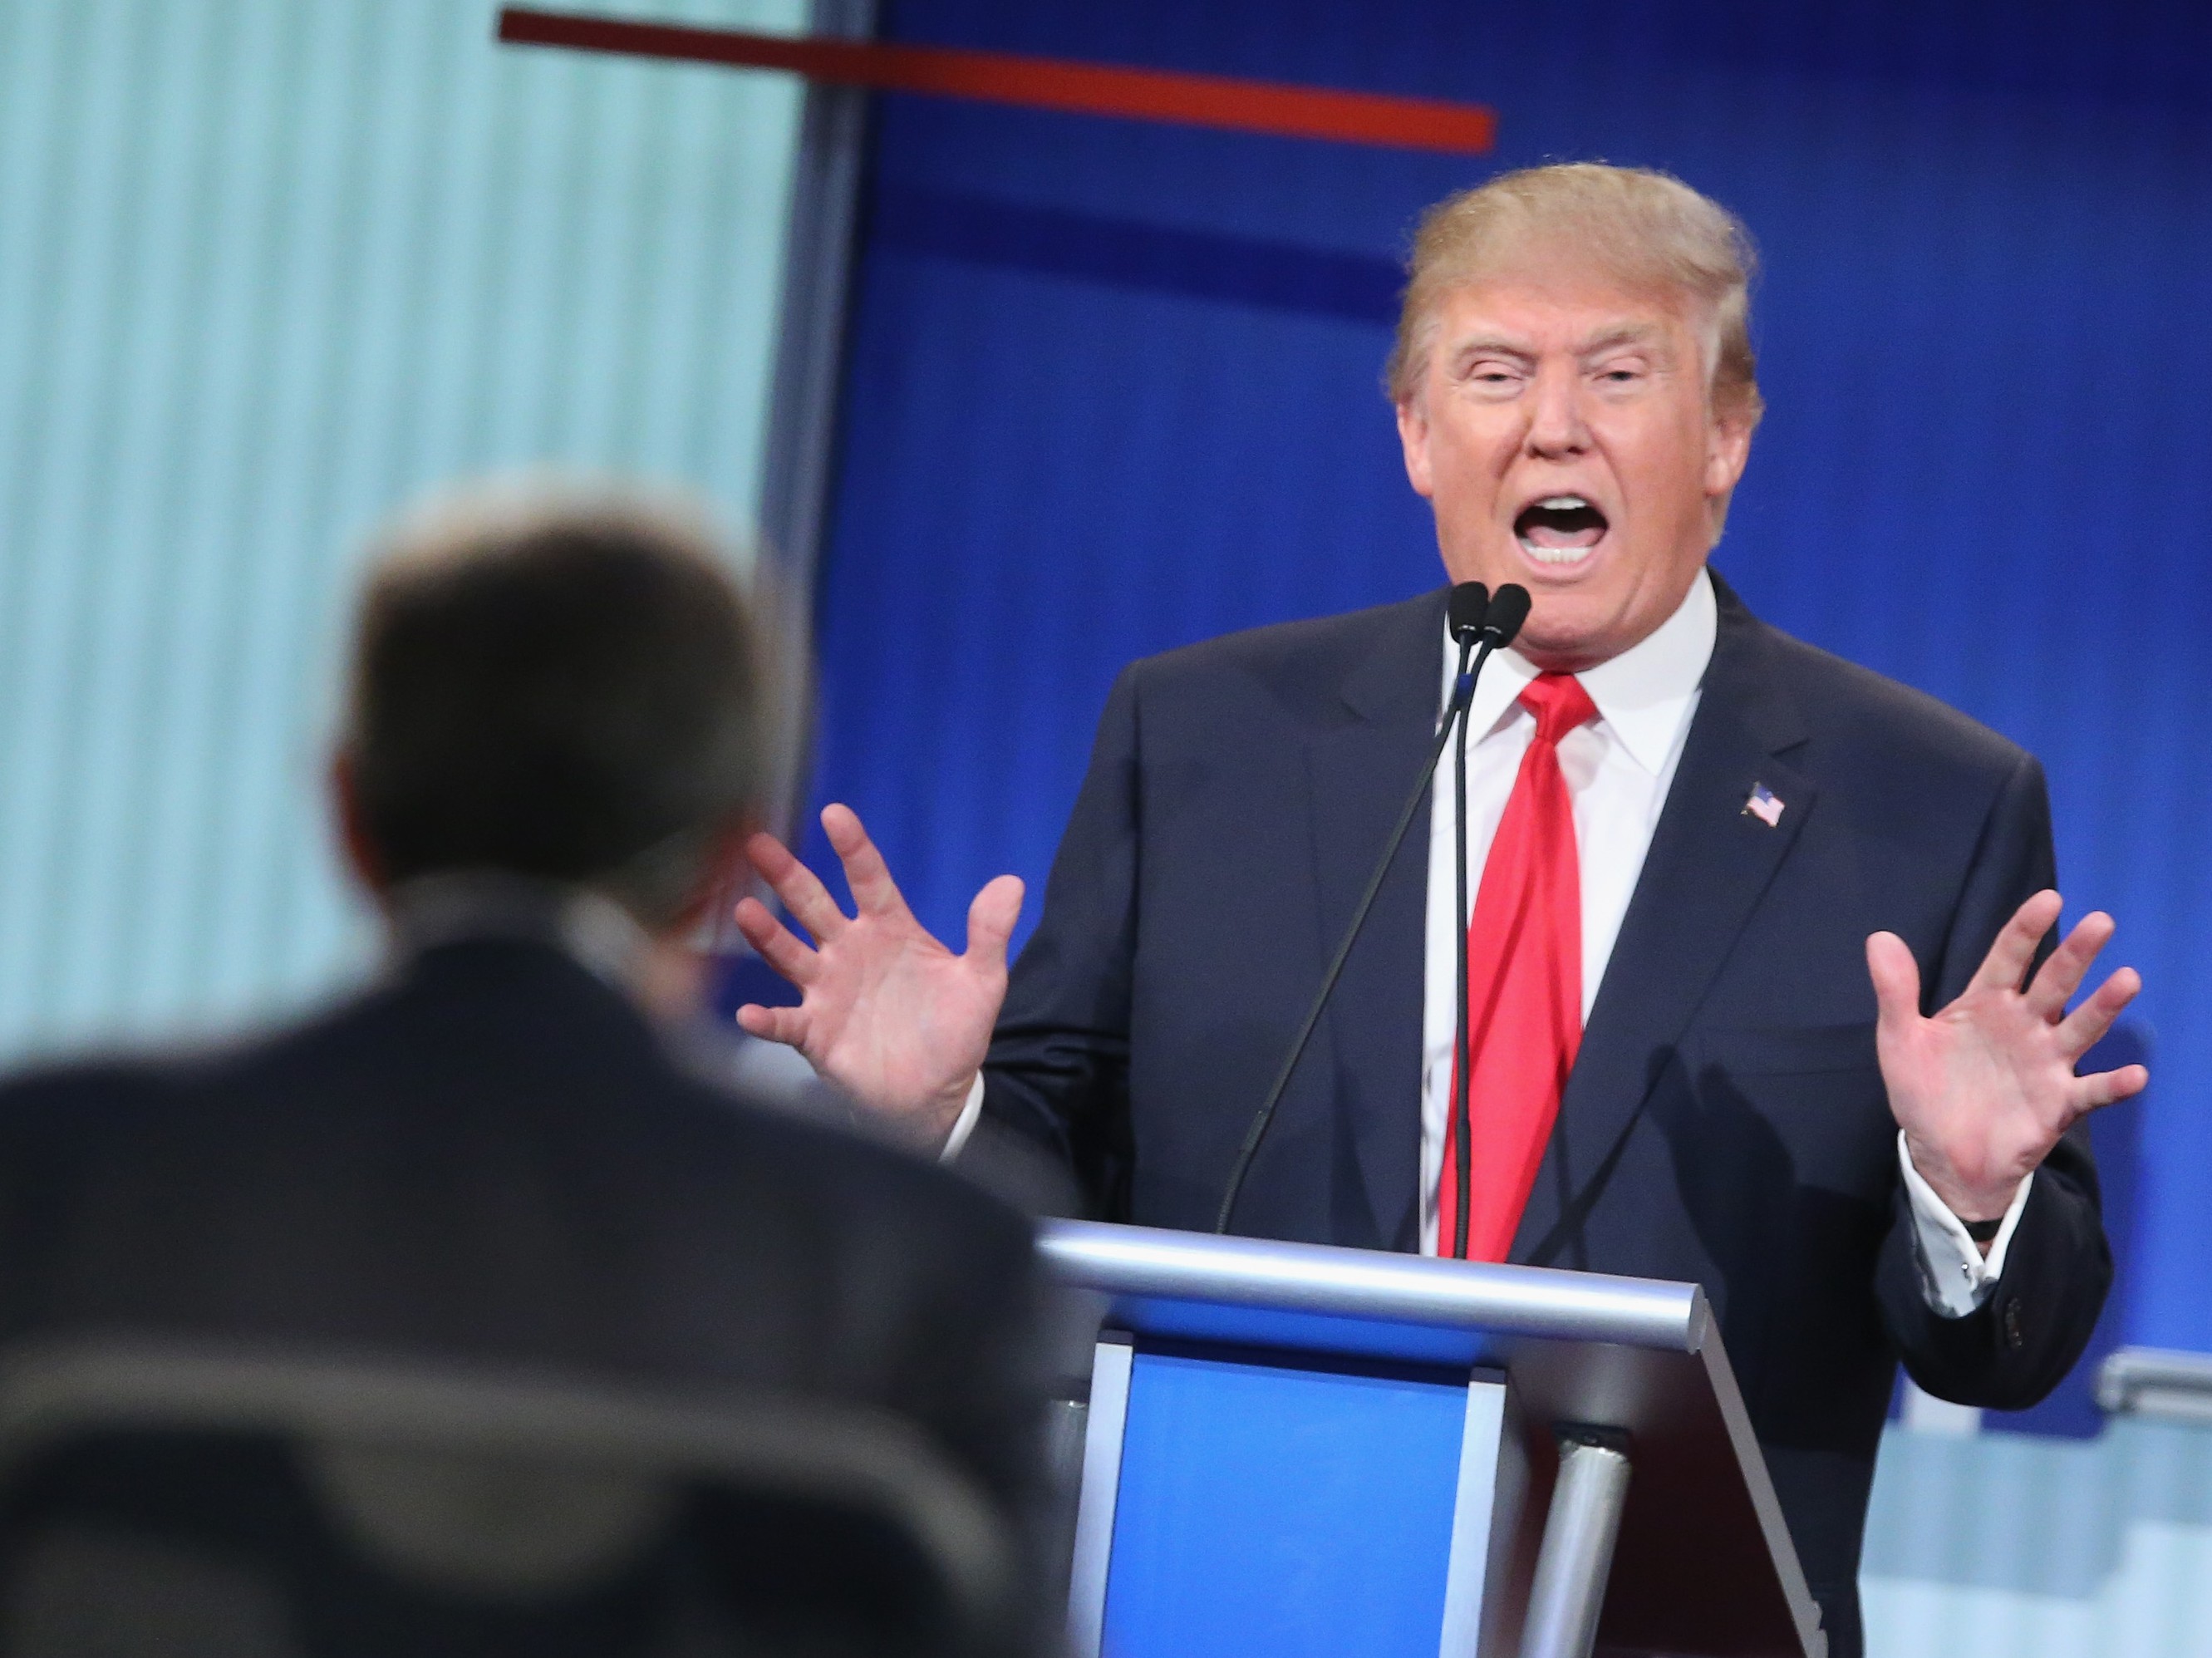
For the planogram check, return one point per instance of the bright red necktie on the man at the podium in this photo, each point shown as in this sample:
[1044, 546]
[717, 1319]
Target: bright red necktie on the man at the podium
[1523, 986]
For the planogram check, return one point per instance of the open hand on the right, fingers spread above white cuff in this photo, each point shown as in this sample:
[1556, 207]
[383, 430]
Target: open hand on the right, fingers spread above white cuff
[1987, 1086]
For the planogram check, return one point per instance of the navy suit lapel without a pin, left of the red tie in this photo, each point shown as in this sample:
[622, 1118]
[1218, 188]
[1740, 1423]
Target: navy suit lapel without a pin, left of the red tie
[1359, 774]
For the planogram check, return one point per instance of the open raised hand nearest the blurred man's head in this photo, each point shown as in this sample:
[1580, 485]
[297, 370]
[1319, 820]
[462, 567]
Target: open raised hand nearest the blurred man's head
[886, 1011]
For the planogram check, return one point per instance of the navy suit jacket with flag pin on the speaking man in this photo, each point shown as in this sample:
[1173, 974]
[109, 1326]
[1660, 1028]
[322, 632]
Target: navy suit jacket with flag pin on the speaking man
[1726, 1119]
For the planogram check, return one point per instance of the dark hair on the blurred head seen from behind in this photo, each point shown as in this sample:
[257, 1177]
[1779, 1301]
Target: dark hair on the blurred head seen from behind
[561, 685]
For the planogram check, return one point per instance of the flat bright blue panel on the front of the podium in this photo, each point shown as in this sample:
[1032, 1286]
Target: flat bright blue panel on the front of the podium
[1284, 1509]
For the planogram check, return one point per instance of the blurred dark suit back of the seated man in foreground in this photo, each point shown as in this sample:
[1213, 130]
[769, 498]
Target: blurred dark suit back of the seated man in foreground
[494, 1159]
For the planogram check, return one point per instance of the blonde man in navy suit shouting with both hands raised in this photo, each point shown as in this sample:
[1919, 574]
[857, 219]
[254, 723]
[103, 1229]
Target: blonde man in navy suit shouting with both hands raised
[1764, 988]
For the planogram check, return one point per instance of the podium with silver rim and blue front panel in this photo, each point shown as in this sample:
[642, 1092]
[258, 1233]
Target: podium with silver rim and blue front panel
[1295, 1449]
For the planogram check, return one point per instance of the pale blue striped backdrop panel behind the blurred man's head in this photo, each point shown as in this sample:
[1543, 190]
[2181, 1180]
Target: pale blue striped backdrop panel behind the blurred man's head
[267, 271]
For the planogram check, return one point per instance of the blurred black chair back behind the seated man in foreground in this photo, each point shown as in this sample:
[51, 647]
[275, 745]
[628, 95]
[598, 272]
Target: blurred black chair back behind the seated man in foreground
[189, 1502]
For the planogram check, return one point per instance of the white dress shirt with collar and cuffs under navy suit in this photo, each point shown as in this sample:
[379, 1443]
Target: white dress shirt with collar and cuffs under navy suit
[1618, 771]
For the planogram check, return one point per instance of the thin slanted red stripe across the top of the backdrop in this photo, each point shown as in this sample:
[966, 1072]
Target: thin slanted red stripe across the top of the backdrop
[1036, 83]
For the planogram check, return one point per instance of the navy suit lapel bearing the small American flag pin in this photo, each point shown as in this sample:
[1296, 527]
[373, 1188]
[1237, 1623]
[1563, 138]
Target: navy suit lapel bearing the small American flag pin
[1704, 873]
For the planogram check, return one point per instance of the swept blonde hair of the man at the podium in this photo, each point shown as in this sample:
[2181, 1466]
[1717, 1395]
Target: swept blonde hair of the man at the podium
[1649, 231]
